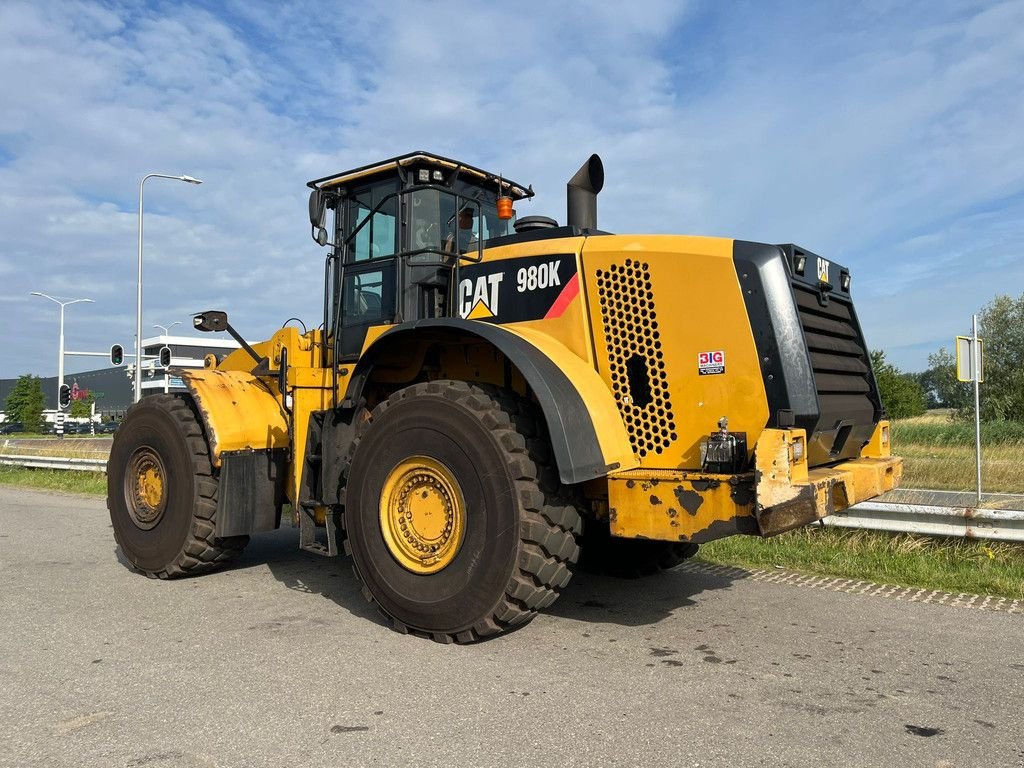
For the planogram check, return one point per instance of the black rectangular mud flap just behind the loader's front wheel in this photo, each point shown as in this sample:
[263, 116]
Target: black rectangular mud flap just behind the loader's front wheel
[251, 492]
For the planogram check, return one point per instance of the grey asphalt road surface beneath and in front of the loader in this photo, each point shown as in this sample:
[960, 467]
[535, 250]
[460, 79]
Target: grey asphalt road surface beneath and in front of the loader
[280, 662]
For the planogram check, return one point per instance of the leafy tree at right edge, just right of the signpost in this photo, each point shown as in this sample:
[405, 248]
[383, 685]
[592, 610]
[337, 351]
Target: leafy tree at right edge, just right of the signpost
[1002, 326]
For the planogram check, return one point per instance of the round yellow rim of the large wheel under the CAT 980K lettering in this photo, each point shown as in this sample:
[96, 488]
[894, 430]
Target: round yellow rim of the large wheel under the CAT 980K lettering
[423, 515]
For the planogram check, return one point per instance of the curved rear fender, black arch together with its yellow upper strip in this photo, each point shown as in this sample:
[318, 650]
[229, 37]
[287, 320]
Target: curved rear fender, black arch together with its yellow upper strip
[588, 438]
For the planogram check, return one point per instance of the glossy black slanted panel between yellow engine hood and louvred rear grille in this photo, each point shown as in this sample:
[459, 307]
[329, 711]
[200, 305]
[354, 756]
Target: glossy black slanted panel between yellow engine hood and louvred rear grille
[786, 367]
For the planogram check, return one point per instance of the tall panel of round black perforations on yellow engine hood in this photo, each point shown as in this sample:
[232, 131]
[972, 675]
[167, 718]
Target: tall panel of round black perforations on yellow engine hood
[635, 356]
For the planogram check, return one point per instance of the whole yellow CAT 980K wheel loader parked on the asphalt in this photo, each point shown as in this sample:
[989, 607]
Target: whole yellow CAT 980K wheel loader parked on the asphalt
[487, 395]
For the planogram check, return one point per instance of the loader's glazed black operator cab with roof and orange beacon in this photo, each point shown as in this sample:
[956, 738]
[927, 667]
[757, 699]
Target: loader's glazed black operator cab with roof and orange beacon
[400, 231]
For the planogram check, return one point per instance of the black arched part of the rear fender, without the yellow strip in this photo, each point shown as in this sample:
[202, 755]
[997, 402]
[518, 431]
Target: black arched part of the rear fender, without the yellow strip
[574, 440]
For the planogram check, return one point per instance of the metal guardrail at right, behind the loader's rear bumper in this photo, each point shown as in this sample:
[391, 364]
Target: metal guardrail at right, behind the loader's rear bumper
[969, 523]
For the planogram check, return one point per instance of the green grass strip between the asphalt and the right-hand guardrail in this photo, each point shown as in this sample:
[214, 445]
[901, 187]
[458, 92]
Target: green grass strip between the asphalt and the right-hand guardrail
[946, 565]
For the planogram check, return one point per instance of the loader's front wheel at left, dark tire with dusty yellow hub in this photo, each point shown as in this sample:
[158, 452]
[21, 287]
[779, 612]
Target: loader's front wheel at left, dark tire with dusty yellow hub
[162, 494]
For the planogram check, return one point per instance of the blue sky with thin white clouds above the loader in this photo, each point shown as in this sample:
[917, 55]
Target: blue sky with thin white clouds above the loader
[886, 137]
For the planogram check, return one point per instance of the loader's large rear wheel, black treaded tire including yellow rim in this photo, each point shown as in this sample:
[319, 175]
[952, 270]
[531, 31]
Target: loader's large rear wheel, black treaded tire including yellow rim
[454, 461]
